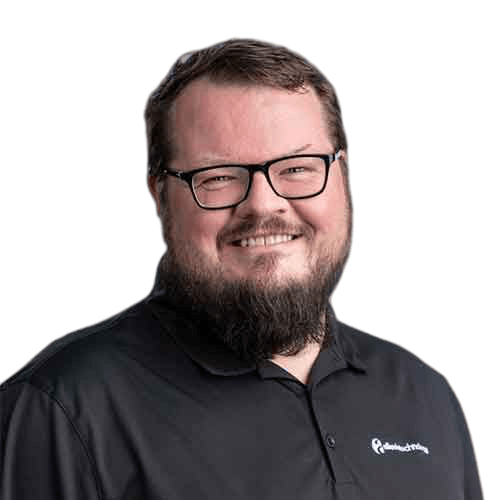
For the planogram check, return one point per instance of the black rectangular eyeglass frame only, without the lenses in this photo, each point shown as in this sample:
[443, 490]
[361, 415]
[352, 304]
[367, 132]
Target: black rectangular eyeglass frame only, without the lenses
[262, 167]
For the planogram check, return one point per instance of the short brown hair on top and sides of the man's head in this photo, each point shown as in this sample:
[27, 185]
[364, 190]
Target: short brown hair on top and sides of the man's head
[238, 61]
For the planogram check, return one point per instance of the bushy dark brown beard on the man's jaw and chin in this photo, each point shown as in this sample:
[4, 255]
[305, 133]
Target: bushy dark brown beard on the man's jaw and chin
[253, 317]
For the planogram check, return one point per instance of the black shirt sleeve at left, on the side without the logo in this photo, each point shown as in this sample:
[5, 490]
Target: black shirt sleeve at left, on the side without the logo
[41, 456]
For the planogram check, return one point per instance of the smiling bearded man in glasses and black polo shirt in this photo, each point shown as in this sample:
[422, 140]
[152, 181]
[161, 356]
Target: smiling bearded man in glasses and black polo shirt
[233, 378]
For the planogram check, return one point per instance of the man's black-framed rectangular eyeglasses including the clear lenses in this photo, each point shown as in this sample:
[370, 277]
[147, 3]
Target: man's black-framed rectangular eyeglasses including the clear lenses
[225, 186]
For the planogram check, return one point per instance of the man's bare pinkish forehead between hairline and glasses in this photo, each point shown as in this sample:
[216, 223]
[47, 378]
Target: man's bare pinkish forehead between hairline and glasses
[216, 123]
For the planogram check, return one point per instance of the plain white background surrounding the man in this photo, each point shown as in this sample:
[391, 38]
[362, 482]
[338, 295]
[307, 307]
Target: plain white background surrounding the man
[418, 85]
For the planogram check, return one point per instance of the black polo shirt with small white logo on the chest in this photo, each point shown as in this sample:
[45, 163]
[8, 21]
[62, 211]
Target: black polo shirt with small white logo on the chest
[143, 406]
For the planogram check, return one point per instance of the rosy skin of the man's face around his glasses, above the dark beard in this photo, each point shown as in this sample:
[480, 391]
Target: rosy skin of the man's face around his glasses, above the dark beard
[227, 124]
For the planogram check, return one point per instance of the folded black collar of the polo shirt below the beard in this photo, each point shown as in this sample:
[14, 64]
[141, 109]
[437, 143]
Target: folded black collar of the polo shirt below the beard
[218, 359]
